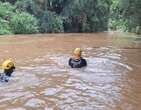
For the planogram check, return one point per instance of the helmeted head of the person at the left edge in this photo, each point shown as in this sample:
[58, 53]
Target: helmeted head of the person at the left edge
[8, 67]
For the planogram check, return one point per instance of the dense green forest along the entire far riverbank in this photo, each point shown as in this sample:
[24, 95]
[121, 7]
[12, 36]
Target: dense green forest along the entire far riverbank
[48, 16]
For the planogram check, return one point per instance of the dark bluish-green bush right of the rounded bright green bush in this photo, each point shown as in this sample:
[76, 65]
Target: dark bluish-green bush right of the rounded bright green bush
[50, 22]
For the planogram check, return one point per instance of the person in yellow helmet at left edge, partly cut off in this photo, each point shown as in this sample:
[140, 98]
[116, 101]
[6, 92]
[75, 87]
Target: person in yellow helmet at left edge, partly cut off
[8, 68]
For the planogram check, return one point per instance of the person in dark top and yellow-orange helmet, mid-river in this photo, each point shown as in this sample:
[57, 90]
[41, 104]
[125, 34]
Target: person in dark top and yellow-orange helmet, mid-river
[77, 61]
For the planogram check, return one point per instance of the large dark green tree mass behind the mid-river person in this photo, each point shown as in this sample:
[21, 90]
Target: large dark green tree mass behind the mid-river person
[86, 15]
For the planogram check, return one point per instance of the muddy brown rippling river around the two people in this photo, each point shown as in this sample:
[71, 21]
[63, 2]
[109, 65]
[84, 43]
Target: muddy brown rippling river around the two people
[44, 81]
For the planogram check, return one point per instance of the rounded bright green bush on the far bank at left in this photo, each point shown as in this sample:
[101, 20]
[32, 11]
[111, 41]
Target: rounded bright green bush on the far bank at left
[24, 23]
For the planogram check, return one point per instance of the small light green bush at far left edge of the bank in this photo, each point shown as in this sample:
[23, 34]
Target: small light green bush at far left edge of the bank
[4, 27]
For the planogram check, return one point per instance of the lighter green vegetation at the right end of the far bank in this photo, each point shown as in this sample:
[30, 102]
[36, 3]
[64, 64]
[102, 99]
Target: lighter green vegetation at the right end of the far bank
[126, 15]
